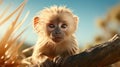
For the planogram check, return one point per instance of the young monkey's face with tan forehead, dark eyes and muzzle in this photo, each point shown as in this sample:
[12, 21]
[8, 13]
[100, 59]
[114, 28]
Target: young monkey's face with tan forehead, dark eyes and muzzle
[59, 27]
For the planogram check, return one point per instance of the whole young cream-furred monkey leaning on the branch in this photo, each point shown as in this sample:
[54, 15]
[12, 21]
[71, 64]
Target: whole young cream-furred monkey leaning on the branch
[55, 27]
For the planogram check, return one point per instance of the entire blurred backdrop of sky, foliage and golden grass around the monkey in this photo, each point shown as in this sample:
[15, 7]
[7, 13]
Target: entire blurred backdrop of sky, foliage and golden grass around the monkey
[99, 21]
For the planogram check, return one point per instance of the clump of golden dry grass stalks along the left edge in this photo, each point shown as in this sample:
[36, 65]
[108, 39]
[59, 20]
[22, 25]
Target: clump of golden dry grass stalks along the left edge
[9, 45]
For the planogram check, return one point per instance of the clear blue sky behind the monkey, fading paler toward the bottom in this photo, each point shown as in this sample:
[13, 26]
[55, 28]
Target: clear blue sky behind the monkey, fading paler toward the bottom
[87, 11]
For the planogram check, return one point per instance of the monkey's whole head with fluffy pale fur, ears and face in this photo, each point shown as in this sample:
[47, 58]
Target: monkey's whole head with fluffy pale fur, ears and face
[55, 23]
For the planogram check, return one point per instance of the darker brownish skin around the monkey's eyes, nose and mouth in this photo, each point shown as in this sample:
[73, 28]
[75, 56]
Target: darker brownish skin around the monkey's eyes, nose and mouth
[57, 30]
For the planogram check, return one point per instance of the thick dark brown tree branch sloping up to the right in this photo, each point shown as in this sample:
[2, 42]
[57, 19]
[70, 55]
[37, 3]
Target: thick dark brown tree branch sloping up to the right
[98, 56]
